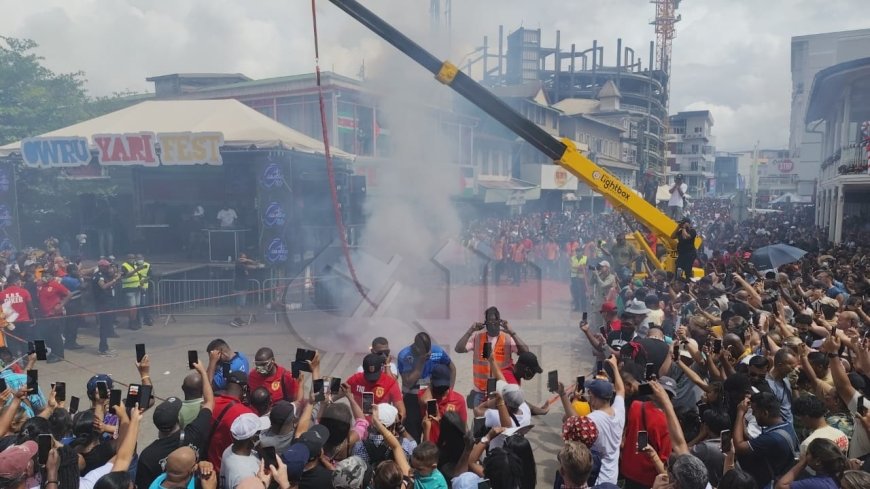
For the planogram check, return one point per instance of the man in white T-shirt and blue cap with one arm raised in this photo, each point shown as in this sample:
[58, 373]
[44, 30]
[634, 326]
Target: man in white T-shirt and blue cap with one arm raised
[607, 401]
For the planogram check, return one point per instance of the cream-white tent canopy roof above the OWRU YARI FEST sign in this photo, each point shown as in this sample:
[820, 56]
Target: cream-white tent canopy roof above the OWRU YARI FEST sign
[241, 125]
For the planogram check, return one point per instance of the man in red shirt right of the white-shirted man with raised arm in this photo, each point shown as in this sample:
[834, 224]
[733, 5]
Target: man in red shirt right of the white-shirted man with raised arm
[645, 415]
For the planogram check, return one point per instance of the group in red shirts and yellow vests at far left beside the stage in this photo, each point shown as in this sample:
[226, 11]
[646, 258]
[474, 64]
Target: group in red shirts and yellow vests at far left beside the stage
[52, 297]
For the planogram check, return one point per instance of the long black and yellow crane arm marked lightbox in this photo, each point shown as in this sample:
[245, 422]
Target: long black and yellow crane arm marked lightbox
[562, 152]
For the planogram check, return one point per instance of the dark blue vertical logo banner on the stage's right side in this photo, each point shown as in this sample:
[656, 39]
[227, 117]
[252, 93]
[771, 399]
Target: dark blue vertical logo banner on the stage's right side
[274, 196]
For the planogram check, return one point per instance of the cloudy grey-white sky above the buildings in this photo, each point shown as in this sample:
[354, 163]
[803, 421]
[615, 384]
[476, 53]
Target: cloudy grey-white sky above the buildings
[729, 56]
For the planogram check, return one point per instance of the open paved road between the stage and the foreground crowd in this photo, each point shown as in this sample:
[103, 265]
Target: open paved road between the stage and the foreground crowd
[539, 312]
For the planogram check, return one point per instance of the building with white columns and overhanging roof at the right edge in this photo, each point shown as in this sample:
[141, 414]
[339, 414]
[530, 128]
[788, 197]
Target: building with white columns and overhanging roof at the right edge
[839, 107]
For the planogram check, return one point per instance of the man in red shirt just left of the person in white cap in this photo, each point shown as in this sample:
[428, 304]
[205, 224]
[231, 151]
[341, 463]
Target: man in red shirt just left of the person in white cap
[227, 407]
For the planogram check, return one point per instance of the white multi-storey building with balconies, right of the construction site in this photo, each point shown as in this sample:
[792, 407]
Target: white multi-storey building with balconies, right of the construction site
[692, 151]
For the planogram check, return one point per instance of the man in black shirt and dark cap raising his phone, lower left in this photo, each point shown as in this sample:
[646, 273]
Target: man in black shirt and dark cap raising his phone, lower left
[170, 437]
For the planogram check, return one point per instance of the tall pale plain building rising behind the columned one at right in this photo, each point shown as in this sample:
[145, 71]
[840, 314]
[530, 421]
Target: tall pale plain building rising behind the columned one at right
[809, 55]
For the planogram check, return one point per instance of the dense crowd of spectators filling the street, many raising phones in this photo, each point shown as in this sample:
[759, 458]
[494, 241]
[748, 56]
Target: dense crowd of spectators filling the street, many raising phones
[749, 377]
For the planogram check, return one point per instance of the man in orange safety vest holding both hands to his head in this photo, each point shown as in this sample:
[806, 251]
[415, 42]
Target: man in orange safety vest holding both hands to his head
[505, 343]
